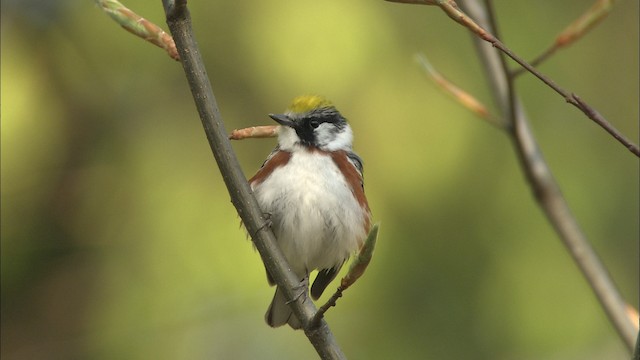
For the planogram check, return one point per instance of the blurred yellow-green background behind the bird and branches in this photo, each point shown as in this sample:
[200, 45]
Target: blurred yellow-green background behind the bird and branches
[119, 240]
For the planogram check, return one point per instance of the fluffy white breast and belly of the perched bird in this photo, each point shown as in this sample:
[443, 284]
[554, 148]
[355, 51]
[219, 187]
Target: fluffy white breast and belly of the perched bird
[316, 218]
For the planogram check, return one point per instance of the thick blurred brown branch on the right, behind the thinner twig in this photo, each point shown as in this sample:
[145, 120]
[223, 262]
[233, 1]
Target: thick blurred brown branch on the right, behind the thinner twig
[546, 190]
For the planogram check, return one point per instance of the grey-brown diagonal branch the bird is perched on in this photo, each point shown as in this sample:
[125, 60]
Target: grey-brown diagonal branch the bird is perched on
[179, 22]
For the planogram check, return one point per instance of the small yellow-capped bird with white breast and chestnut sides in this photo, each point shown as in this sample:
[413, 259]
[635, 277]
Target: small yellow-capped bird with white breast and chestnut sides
[311, 188]
